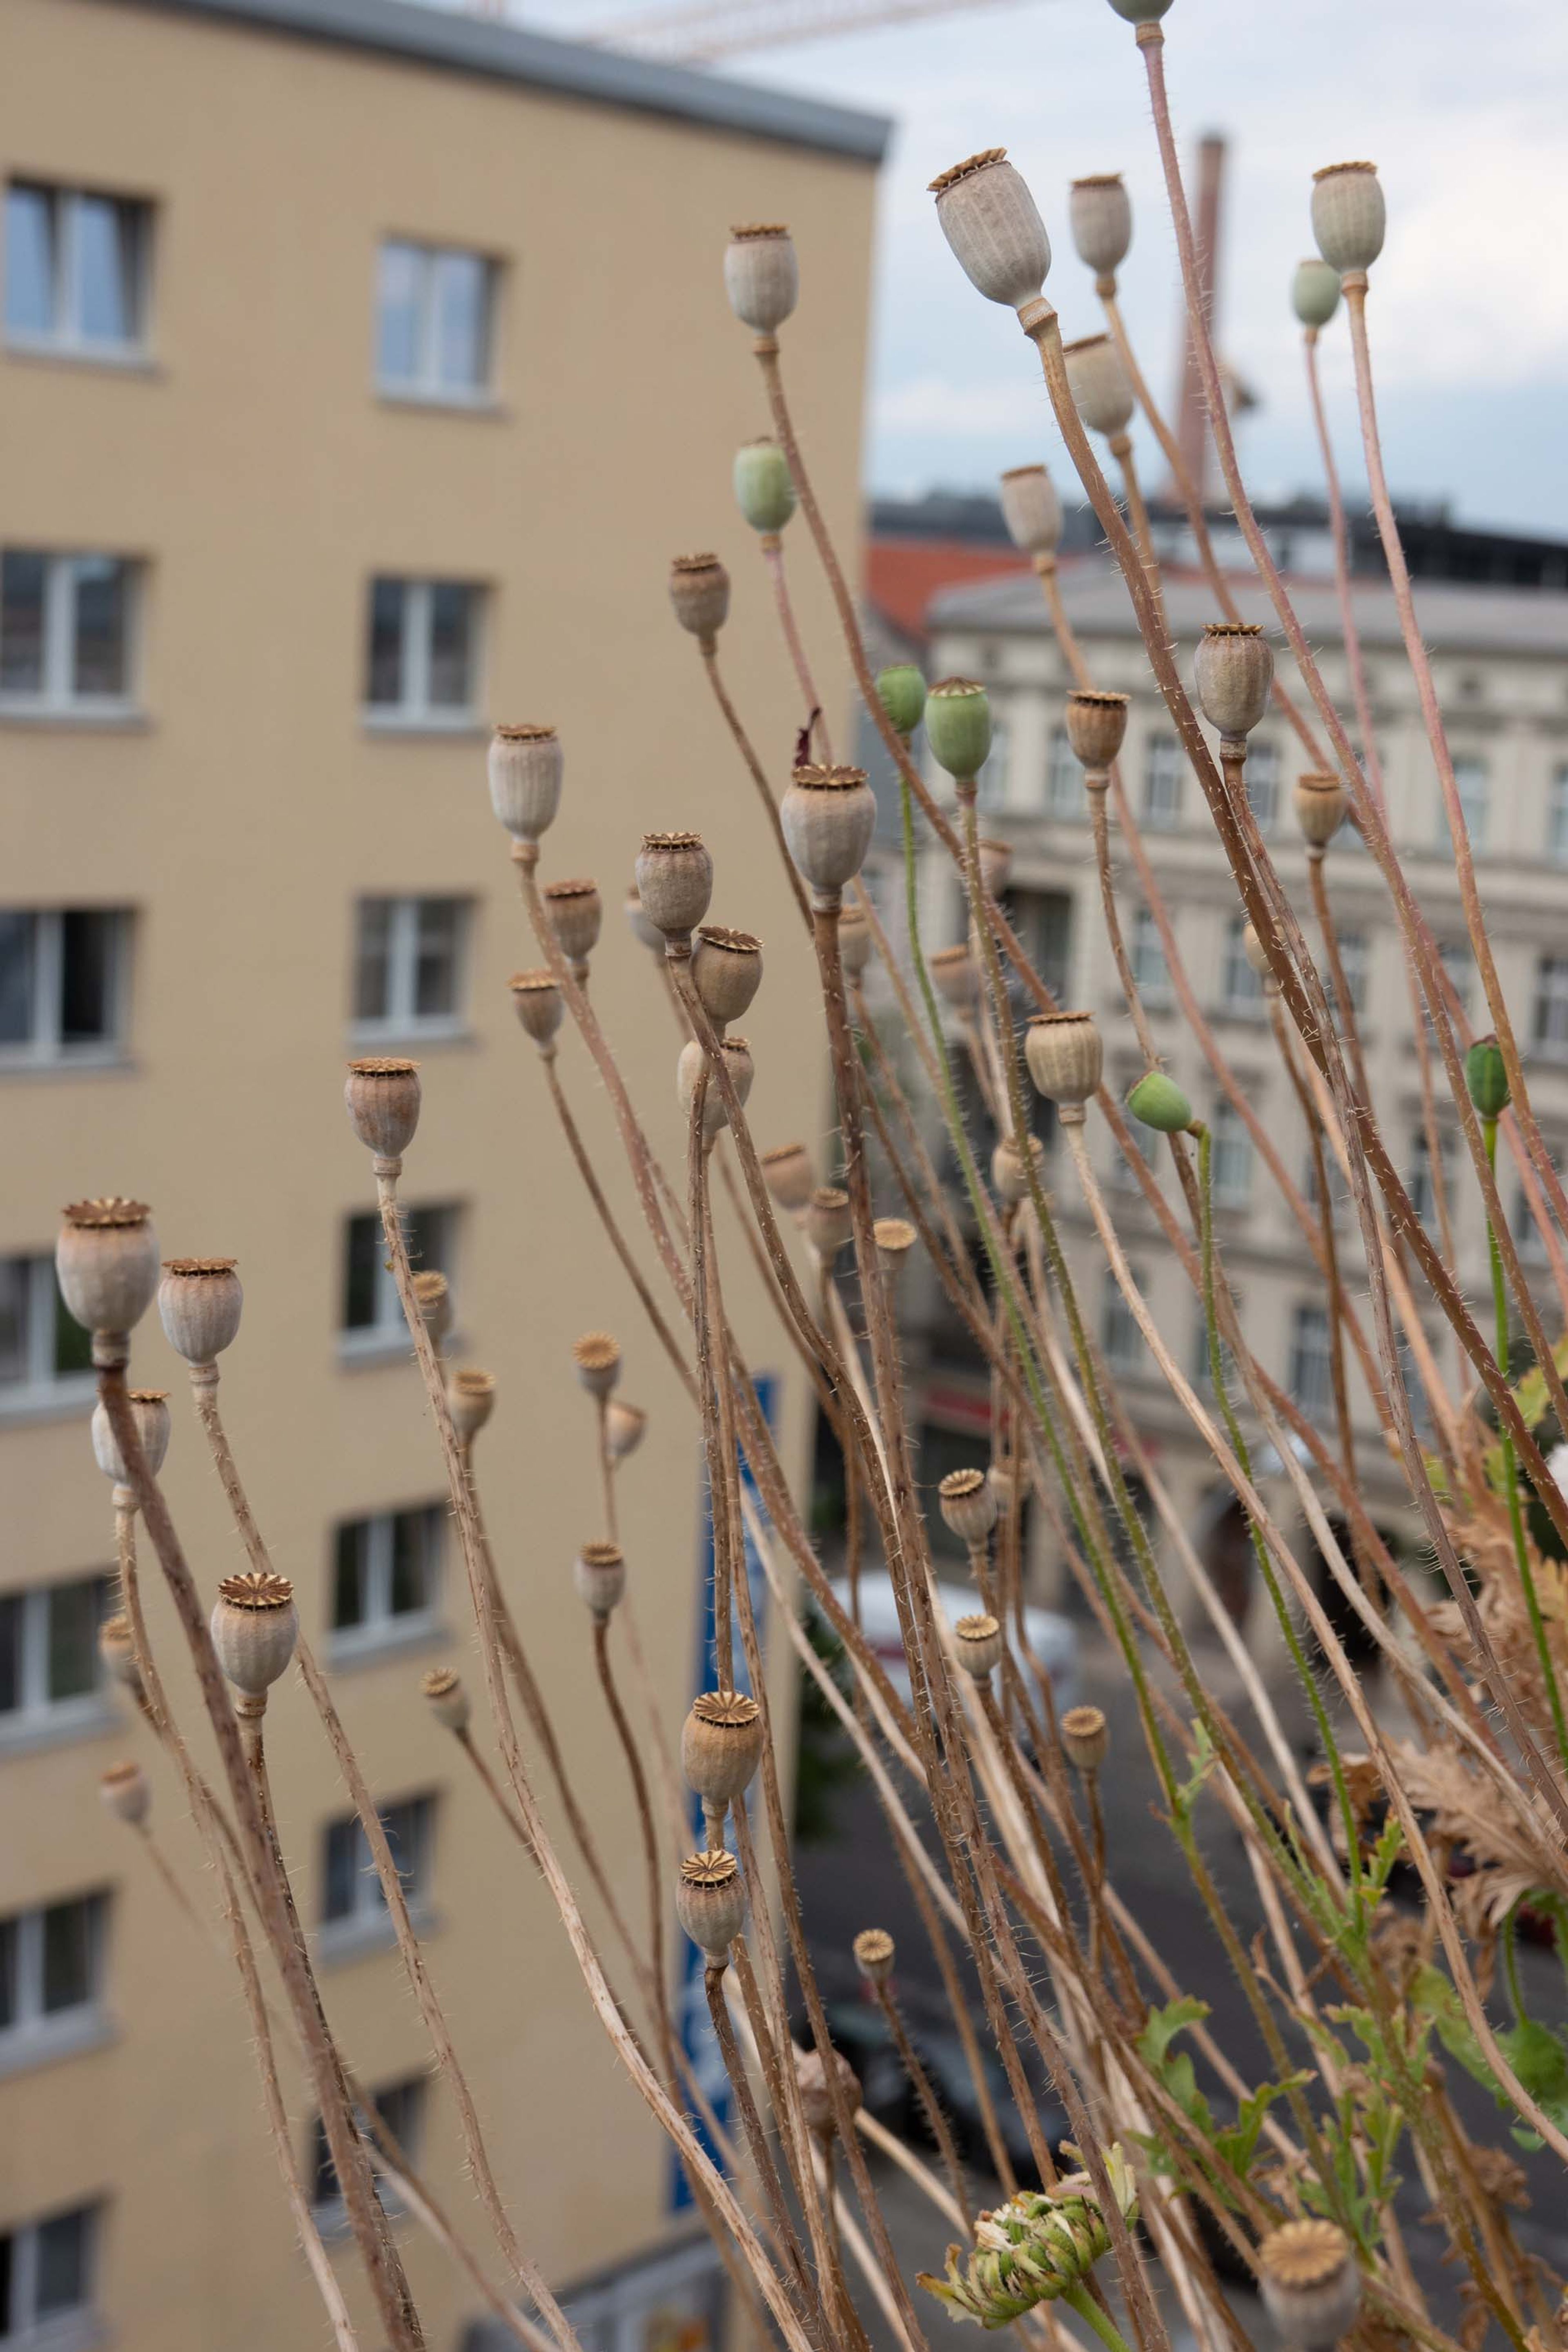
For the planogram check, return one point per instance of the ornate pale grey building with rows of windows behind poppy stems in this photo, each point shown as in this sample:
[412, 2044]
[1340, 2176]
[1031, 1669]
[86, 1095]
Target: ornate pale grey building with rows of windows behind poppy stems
[1501, 662]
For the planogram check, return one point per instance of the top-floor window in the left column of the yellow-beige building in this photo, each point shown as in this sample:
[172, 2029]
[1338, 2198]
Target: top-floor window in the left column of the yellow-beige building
[74, 272]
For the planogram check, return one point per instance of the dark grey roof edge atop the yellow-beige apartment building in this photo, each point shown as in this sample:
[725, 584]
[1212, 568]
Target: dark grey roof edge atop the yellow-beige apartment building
[502, 53]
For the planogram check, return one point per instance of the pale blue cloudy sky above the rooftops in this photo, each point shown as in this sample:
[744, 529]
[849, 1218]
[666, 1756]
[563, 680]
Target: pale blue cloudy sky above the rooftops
[1459, 102]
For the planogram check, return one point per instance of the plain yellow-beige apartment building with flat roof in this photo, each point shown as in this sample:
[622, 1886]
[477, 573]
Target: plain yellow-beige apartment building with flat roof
[361, 370]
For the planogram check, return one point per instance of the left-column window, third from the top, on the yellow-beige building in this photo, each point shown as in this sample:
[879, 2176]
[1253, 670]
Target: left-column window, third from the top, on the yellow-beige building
[62, 984]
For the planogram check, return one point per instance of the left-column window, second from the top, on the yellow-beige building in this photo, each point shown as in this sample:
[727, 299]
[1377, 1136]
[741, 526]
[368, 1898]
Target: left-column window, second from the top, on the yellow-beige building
[67, 634]
